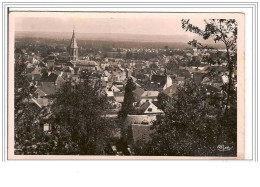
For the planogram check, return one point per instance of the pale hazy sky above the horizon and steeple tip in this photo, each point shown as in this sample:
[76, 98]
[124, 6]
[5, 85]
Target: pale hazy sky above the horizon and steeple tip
[125, 23]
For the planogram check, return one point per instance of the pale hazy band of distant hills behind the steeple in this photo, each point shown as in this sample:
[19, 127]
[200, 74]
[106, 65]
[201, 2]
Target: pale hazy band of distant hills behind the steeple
[114, 37]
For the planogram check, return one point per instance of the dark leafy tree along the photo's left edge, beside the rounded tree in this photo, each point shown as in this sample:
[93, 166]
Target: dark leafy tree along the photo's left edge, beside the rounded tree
[27, 132]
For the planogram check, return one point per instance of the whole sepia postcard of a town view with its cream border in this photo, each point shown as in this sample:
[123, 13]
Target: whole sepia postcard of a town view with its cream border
[127, 85]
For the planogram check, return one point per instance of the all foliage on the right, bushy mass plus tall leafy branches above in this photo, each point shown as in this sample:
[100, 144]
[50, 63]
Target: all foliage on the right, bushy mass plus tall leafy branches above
[198, 123]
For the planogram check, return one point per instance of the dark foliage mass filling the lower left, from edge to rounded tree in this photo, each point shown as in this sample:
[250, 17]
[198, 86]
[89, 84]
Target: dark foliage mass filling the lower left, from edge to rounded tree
[76, 119]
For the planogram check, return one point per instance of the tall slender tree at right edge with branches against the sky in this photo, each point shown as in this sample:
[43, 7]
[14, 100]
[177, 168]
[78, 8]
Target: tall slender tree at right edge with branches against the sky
[225, 31]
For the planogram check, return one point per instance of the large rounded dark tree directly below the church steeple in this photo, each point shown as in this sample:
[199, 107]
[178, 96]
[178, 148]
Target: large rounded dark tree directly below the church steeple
[77, 121]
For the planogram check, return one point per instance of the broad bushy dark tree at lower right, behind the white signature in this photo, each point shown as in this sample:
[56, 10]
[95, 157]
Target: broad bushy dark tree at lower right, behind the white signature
[193, 127]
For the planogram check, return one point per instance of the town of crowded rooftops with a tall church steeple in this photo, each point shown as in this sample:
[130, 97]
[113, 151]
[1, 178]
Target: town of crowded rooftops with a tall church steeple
[151, 76]
